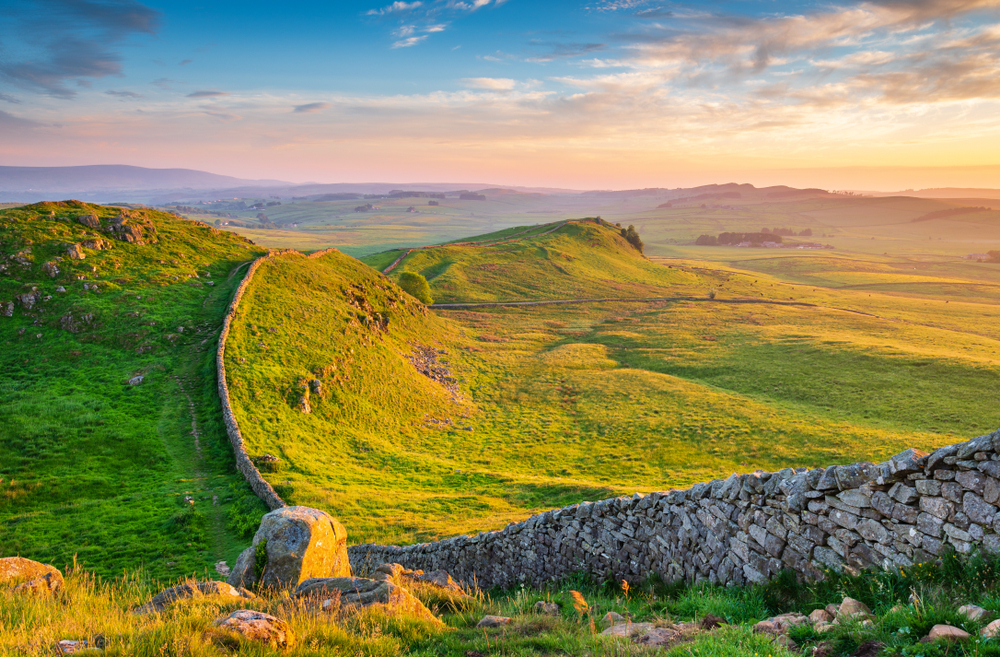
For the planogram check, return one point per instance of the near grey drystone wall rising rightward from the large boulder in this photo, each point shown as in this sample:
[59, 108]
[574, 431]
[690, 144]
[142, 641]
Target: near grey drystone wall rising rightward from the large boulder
[744, 529]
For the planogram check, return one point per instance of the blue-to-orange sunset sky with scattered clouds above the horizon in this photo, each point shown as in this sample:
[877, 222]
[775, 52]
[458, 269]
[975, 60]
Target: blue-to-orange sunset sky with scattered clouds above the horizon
[583, 94]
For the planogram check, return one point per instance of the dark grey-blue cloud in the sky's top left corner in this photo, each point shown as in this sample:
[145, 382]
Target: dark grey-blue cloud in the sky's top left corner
[57, 42]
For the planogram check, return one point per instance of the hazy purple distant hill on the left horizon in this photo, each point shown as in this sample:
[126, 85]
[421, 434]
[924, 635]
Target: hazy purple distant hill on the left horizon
[114, 177]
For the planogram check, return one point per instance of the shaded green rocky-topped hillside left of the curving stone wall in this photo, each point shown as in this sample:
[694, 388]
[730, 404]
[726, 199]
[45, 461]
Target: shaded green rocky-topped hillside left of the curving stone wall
[93, 466]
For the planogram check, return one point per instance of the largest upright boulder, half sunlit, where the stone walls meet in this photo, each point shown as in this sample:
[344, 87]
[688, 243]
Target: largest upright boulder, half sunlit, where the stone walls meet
[299, 543]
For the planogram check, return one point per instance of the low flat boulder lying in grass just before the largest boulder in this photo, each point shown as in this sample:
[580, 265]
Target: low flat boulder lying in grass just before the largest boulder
[360, 592]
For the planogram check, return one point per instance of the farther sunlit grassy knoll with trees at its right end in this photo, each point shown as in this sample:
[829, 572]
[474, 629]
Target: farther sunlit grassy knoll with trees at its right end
[564, 260]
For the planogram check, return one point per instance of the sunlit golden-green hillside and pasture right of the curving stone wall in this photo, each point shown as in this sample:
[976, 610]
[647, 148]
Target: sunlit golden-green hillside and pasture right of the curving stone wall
[561, 404]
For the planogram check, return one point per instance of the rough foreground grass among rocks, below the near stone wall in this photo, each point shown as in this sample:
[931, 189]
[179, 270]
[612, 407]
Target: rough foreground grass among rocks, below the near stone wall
[906, 603]
